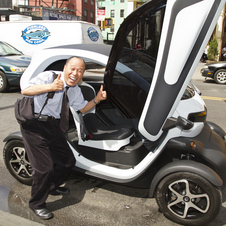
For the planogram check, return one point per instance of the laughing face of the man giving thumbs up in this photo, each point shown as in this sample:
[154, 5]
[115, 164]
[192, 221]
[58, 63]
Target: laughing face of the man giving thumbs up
[73, 71]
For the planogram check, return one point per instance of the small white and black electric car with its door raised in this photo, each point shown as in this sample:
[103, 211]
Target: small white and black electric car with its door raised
[151, 132]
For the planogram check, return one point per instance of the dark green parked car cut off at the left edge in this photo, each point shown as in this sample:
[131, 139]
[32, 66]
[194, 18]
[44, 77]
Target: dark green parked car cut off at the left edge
[12, 65]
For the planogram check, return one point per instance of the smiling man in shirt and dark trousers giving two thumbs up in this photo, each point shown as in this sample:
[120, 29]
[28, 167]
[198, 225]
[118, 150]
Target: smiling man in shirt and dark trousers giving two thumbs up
[49, 154]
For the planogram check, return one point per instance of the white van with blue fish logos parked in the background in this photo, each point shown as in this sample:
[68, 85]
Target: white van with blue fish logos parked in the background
[29, 36]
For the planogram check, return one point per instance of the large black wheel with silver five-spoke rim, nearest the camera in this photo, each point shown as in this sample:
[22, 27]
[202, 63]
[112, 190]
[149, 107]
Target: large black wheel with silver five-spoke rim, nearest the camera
[188, 199]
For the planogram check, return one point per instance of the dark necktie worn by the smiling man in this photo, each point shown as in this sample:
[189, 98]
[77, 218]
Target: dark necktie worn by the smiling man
[64, 115]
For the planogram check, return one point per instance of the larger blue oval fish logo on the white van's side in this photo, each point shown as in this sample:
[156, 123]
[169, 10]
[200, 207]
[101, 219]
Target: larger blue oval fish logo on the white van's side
[35, 34]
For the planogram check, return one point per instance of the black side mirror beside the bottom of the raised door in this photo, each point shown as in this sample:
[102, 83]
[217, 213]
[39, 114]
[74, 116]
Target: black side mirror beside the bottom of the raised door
[180, 122]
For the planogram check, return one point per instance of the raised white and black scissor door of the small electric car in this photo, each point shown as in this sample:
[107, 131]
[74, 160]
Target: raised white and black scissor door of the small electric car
[154, 56]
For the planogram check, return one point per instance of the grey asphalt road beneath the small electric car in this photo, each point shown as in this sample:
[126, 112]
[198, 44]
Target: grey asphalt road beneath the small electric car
[93, 202]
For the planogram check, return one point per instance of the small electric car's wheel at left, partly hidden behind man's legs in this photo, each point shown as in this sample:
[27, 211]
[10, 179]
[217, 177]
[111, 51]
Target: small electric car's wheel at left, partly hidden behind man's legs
[17, 162]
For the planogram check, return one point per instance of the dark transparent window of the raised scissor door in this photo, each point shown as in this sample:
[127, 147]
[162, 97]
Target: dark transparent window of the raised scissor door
[129, 84]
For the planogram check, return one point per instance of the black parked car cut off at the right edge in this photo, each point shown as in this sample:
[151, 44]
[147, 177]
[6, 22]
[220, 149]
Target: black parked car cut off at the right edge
[216, 71]
